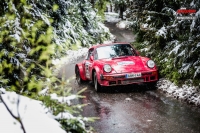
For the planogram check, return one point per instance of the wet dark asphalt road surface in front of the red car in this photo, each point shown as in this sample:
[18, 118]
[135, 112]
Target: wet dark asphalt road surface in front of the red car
[134, 109]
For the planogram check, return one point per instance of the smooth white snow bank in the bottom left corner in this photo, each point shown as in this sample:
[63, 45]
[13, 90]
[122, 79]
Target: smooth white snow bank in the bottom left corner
[35, 117]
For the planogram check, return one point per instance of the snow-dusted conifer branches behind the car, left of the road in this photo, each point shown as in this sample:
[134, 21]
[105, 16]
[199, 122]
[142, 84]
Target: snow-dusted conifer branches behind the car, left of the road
[75, 23]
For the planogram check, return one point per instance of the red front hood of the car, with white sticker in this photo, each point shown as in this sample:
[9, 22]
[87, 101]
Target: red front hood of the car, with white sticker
[126, 64]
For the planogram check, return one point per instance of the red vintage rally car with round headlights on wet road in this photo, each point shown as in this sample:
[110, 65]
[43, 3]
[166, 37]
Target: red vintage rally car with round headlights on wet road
[116, 64]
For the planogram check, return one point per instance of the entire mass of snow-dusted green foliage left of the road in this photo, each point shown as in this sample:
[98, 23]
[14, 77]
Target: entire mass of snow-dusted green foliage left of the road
[32, 33]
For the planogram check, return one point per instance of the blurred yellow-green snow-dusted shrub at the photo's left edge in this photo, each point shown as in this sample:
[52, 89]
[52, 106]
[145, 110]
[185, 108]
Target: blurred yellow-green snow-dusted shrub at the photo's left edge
[26, 44]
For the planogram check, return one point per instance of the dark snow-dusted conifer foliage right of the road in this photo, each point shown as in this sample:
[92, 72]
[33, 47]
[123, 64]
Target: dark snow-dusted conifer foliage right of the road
[173, 43]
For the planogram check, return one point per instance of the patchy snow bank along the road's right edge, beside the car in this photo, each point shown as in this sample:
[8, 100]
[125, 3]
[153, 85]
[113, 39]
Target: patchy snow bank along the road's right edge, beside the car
[186, 93]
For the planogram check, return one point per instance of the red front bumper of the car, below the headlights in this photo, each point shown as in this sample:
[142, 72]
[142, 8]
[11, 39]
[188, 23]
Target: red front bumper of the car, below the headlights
[120, 79]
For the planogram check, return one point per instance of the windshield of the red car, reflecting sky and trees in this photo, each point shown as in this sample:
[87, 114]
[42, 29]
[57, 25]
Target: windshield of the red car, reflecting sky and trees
[113, 51]
